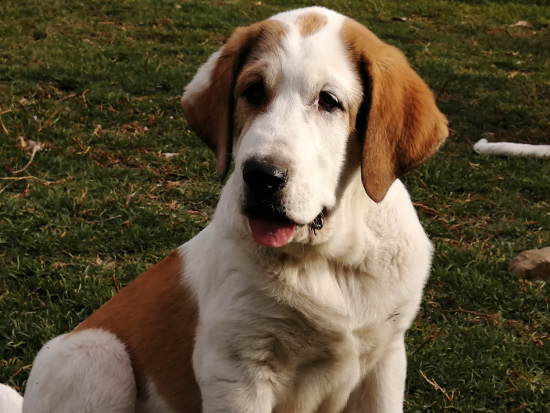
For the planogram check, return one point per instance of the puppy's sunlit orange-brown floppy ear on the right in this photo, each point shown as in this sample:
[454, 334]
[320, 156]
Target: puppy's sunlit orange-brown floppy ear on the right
[398, 118]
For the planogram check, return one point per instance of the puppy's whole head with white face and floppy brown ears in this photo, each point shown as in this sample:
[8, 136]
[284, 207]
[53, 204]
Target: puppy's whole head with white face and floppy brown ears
[301, 101]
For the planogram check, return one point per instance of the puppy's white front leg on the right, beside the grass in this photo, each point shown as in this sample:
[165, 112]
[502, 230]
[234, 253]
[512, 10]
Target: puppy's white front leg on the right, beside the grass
[382, 390]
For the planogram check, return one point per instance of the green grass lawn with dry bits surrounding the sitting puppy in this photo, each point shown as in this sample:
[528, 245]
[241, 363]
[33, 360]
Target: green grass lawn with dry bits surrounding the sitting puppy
[99, 83]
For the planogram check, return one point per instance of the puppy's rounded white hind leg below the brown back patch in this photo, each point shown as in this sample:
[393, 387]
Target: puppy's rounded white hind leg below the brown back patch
[87, 371]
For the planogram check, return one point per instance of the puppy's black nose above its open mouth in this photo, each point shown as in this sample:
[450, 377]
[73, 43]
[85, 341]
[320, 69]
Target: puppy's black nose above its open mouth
[263, 178]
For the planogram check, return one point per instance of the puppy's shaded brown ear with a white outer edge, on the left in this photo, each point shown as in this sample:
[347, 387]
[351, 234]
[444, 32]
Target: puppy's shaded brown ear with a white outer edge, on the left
[208, 101]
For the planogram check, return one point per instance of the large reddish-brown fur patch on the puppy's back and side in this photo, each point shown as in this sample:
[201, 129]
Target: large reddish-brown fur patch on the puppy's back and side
[155, 316]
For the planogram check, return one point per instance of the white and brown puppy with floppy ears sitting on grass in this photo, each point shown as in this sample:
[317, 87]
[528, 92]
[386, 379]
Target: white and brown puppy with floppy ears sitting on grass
[297, 295]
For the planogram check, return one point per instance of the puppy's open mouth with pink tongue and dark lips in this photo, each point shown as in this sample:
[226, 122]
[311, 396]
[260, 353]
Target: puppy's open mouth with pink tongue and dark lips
[272, 228]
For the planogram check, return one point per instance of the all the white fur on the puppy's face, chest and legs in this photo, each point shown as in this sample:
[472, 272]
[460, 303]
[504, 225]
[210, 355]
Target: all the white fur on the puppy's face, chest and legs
[315, 326]
